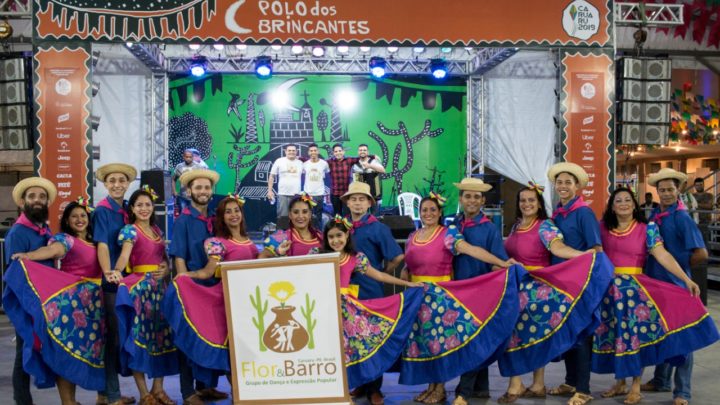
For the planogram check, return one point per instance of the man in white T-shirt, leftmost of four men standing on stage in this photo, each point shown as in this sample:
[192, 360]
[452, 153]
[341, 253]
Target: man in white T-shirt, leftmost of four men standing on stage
[287, 170]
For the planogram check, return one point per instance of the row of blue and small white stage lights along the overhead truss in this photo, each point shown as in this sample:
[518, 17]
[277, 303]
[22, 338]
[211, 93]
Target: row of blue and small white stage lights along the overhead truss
[377, 65]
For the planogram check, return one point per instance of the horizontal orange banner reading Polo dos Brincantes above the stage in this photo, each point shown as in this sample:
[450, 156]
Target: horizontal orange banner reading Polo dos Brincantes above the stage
[412, 22]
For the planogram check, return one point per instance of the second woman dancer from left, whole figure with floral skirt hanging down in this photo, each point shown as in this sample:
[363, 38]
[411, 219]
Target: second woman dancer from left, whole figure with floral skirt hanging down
[145, 336]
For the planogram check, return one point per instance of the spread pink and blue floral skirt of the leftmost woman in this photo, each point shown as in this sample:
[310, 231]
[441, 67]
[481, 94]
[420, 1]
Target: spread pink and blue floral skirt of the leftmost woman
[59, 316]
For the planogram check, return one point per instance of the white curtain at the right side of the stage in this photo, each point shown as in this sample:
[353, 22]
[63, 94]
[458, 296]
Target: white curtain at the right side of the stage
[520, 132]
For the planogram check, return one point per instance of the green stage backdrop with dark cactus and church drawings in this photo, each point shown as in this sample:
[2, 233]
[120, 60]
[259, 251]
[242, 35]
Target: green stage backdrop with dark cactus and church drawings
[240, 123]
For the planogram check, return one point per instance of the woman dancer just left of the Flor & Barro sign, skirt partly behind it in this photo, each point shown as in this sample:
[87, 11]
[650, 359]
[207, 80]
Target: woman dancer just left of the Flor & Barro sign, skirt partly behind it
[202, 336]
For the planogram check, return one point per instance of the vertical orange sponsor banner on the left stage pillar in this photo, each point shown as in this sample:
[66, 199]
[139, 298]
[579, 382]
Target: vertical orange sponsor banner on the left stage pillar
[62, 102]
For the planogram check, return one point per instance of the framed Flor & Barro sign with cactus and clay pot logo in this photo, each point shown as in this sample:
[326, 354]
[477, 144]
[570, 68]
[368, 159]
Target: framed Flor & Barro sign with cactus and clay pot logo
[284, 323]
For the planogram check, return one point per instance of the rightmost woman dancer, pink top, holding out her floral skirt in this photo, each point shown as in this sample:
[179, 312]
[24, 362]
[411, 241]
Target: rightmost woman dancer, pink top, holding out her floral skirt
[644, 321]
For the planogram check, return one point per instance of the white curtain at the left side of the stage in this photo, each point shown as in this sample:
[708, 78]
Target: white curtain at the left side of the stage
[121, 105]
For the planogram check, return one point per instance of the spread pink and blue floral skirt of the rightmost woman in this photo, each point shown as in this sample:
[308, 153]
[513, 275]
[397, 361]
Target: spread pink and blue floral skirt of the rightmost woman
[645, 322]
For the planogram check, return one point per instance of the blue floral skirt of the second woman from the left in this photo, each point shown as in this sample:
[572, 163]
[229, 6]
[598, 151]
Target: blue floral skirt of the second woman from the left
[146, 339]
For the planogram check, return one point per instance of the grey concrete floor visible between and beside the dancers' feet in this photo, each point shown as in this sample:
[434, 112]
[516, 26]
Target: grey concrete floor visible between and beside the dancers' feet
[706, 390]
